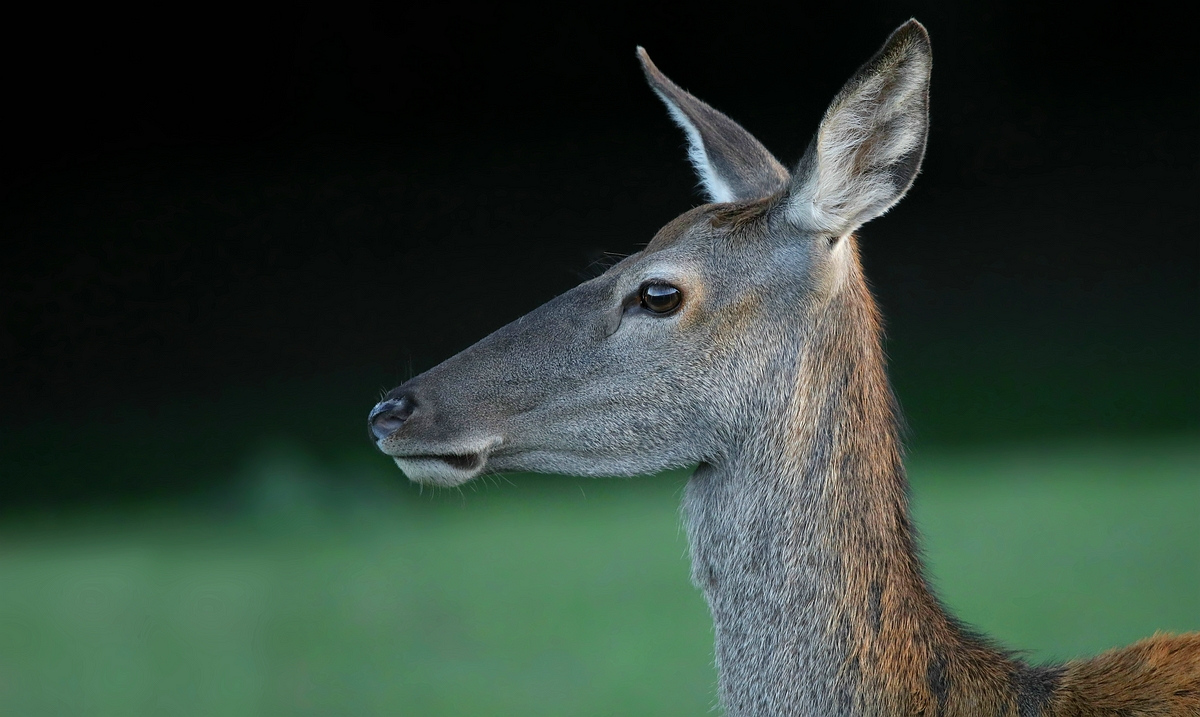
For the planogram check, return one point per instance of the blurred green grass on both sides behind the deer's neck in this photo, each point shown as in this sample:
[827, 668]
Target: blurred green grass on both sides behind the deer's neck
[332, 588]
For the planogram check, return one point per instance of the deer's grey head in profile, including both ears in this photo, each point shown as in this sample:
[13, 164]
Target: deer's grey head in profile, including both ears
[683, 353]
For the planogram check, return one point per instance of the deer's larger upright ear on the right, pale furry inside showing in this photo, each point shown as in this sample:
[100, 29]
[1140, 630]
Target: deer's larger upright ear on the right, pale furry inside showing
[872, 140]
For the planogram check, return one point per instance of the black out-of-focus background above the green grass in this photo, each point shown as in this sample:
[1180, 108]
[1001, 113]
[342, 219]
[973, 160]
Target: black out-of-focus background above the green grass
[225, 225]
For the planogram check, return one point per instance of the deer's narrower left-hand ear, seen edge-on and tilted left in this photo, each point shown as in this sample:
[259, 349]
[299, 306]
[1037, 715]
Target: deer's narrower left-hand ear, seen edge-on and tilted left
[731, 164]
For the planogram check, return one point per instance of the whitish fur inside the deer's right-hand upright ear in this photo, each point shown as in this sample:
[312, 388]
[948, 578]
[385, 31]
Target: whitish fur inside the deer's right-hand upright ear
[866, 132]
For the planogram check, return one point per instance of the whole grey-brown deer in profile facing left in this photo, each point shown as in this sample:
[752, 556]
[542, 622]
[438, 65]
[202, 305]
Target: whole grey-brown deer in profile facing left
[743, 340]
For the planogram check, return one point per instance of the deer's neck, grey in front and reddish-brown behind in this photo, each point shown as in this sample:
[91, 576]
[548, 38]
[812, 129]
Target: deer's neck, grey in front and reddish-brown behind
[802, 545]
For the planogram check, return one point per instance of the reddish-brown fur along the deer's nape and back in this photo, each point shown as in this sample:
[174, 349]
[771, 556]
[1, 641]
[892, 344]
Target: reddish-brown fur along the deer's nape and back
[907, 648]
